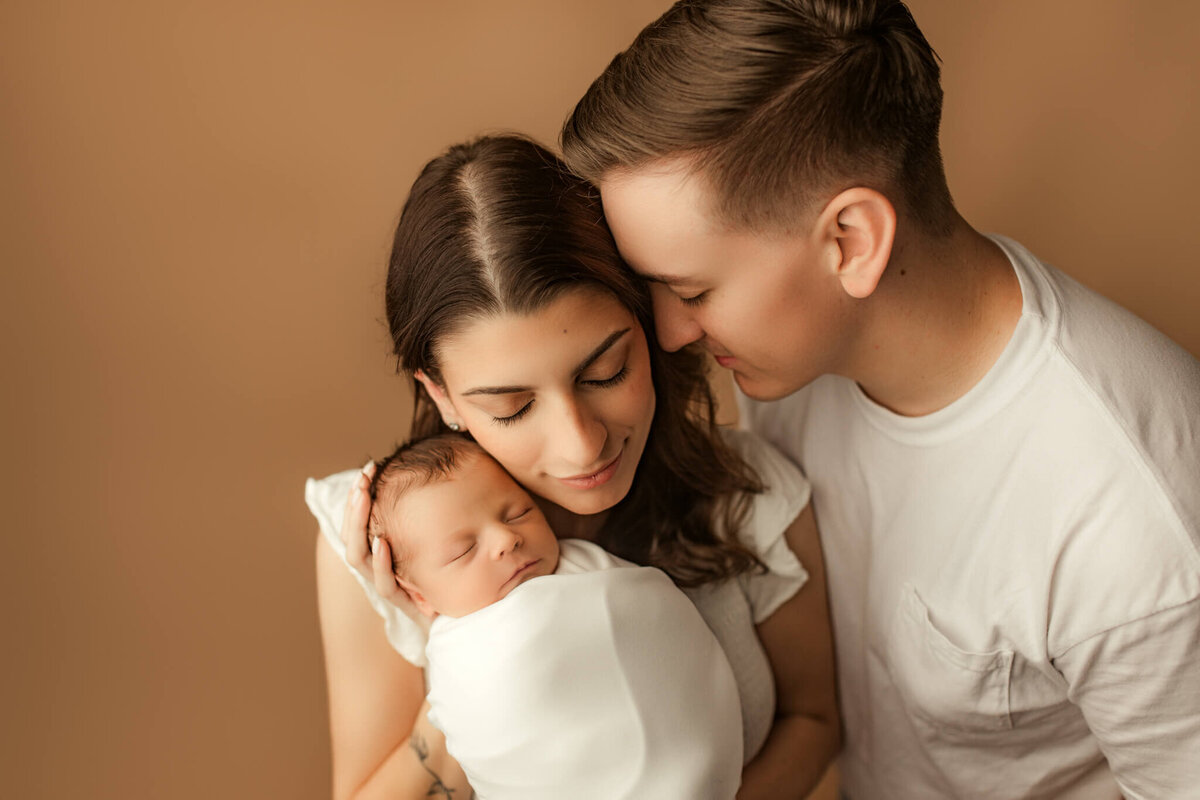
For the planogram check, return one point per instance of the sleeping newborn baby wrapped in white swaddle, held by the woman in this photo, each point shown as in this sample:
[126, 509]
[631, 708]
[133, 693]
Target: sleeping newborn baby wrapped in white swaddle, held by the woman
[555, 670]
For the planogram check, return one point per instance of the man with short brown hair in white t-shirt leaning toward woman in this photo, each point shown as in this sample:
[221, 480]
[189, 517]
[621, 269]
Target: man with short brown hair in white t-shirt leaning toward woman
[1006, 467]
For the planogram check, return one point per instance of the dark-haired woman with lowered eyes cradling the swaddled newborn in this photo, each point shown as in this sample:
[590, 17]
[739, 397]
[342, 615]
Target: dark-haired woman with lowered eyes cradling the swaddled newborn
[513, 312]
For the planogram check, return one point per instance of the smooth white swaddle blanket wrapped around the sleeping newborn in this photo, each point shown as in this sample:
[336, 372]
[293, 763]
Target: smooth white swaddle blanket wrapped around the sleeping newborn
[599, 682]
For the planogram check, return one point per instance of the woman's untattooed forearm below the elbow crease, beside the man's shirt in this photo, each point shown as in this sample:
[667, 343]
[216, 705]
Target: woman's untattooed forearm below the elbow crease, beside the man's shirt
[794, 760]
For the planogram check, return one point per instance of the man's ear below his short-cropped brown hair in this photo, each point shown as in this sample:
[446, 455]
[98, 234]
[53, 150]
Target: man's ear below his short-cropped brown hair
[861, 226]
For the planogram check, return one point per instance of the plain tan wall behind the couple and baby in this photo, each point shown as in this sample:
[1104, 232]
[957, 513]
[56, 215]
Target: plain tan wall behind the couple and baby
[195, 212]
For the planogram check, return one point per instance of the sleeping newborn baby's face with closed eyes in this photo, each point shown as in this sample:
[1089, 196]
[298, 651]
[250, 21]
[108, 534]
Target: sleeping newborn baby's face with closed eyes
[471, 539]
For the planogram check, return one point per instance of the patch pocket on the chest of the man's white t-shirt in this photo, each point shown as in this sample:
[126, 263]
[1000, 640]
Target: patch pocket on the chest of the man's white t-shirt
[957, 693]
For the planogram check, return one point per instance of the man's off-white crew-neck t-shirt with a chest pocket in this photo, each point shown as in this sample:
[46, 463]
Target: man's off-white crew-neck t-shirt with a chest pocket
[1015, 579]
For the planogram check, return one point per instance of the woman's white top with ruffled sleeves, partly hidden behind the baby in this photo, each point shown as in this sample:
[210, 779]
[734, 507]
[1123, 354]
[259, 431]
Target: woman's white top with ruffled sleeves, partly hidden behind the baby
[733, 609]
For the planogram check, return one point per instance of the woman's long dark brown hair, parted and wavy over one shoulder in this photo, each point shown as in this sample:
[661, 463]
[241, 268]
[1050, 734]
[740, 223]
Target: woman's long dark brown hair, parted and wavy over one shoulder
[500, 226]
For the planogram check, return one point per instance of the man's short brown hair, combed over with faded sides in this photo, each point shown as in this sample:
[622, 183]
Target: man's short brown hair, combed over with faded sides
[778, 105]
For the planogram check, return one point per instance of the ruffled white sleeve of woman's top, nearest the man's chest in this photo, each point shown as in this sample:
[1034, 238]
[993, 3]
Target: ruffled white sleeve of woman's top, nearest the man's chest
[785, 495]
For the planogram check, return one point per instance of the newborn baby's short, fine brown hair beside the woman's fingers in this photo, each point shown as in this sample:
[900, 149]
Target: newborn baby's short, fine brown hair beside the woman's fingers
[409, 467]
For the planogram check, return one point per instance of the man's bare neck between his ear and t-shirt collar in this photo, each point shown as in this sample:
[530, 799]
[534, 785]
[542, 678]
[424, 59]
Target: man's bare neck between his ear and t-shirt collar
[940, 320]
